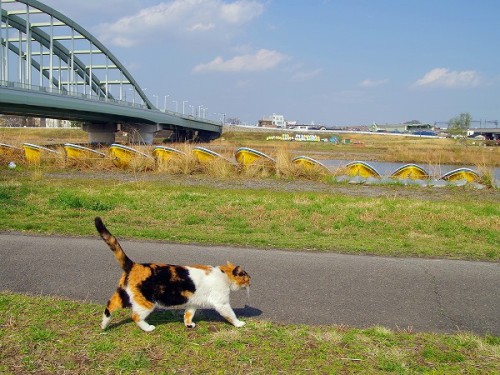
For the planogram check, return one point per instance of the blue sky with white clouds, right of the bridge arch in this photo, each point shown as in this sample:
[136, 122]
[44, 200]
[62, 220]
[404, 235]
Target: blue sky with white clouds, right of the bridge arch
[331, 62]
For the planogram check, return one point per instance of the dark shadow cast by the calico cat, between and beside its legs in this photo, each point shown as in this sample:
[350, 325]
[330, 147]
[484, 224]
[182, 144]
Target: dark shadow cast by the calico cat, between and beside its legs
[160, 317]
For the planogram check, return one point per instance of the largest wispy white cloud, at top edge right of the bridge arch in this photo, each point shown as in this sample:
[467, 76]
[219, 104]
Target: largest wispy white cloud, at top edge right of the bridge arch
[182, 19]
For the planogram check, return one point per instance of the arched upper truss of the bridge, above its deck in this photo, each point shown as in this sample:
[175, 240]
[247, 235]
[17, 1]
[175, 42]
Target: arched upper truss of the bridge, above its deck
[40, 47]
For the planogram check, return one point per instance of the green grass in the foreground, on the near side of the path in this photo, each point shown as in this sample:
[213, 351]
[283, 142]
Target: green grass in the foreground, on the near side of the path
[52, 335]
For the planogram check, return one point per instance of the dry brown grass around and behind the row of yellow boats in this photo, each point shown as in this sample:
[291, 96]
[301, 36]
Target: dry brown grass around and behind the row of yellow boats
[430, 153]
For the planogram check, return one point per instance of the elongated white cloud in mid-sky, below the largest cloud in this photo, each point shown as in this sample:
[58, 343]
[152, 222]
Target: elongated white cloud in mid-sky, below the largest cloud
[262, 60]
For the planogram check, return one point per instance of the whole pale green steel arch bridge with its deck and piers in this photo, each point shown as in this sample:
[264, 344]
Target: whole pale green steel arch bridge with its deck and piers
[52, 67]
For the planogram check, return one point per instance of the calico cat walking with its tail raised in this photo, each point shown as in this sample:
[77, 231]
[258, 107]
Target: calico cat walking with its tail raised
[142, 287]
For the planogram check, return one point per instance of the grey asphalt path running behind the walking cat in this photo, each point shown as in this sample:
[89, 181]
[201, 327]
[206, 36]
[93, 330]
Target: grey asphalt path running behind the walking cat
[287, 287]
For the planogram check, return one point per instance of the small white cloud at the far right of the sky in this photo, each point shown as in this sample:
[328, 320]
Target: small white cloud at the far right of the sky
[442, 77]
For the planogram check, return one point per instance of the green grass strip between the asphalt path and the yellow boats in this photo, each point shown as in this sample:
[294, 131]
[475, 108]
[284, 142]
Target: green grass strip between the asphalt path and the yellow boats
[449, 226]
